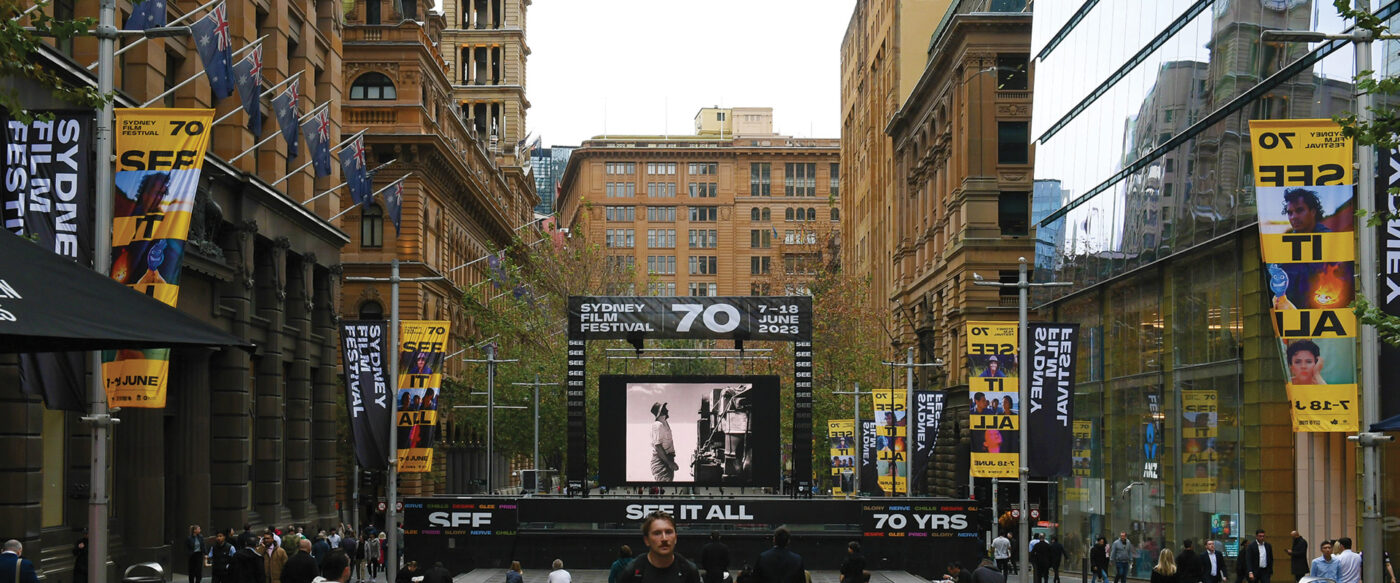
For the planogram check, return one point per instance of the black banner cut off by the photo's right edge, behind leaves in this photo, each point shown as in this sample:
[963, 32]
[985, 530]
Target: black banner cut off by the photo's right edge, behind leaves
[1388, 177]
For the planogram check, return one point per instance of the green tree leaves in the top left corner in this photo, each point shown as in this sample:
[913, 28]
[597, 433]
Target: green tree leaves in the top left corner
[20, 39]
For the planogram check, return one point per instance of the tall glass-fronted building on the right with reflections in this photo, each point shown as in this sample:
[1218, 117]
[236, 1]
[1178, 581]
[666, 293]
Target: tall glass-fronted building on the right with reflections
[1144, 200]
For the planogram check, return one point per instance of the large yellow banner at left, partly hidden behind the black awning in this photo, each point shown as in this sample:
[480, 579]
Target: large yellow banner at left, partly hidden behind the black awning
[160, 155]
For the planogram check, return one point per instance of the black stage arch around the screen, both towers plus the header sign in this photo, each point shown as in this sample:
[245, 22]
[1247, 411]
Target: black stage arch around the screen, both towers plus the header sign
[639, 319]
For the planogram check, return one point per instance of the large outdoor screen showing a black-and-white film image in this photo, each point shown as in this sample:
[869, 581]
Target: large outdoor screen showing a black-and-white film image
[712, 431]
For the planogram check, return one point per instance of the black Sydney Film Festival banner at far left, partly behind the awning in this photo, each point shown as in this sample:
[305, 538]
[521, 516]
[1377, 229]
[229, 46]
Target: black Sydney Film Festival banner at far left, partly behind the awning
[48, 197]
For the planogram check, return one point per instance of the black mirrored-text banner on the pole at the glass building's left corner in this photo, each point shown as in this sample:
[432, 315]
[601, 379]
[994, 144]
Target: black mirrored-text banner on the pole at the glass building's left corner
[1051, 418]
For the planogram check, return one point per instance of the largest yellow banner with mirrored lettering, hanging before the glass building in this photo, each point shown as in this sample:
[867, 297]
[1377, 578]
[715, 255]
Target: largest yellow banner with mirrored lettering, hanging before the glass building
[1305, 194]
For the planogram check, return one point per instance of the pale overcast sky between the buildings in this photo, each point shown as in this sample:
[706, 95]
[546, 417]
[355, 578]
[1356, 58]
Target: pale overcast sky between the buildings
[652, 65]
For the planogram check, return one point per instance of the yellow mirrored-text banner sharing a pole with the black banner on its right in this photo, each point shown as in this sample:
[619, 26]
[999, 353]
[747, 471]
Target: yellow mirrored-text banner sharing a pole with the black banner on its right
[993, 385]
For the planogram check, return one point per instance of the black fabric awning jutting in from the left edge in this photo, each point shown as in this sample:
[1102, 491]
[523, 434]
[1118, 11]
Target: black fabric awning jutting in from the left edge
[50, 303]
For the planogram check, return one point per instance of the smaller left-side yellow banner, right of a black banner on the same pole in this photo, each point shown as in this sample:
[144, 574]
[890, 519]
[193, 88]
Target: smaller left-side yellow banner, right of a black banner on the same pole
[422, 352]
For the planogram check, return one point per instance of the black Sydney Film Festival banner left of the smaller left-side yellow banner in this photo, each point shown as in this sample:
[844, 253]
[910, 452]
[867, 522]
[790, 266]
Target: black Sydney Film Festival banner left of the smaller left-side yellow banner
[365, 347]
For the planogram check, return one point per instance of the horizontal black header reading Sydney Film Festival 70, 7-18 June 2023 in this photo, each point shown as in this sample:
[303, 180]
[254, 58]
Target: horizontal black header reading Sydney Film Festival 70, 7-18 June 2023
[743, 319]
